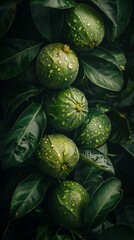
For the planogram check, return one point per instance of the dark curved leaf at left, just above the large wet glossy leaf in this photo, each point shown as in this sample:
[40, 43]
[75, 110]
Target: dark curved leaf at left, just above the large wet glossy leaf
[16, 96]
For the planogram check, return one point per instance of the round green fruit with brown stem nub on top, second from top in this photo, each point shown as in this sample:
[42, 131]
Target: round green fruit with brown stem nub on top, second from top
[57, 66]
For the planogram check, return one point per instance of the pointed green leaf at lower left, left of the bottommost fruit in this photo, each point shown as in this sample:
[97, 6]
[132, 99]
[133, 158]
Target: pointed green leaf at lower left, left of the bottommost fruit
[28, 195]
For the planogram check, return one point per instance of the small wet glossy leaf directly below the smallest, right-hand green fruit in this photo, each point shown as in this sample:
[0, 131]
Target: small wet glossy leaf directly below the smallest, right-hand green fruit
[96, 159]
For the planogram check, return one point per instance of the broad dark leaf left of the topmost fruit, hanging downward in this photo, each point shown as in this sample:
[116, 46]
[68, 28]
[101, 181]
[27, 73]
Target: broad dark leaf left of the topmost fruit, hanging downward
[50, 29]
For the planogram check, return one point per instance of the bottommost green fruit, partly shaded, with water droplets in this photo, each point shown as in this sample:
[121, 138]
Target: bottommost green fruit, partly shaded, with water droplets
[67, 204]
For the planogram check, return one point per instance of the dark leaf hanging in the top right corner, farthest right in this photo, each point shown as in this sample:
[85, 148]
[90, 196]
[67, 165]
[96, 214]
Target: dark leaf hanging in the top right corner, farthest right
[124, 9]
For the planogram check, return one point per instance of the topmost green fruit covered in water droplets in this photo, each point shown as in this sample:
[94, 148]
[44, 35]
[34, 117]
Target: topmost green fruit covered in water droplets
[84, 28]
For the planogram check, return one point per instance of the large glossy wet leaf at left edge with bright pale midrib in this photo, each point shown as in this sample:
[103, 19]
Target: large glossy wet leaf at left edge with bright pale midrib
[24, 136]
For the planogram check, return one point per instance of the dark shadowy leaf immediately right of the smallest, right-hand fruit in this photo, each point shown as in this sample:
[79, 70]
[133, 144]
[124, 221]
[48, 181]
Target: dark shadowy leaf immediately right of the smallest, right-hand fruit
[120, 131]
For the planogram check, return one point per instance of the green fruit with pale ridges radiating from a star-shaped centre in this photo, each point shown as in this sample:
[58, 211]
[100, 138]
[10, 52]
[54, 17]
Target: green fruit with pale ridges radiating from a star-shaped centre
[67, 109]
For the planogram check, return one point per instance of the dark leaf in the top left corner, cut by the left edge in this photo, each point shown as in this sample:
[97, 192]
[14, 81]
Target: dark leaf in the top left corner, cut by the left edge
[7, 14]
